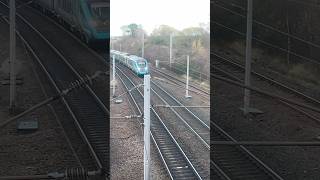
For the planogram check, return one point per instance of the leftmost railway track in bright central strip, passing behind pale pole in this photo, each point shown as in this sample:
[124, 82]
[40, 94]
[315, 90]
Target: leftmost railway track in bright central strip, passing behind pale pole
[178, 165]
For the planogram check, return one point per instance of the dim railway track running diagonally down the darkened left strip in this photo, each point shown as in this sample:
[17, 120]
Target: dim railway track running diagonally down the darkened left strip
[88, 112]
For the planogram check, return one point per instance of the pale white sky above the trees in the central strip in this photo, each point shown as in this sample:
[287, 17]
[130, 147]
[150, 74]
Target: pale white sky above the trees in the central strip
[152, 13]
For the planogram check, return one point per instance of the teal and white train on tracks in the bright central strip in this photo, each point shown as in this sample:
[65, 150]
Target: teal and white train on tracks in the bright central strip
[137, 64]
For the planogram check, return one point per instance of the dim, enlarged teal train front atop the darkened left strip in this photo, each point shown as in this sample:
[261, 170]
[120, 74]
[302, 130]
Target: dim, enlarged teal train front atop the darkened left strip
[87, 18]
